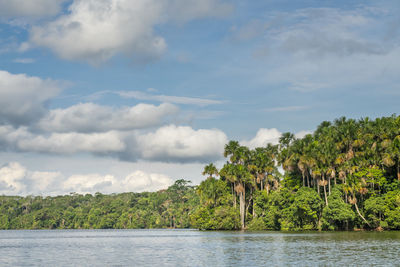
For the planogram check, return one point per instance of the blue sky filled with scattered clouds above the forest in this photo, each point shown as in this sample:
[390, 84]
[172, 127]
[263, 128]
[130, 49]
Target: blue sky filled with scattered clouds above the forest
[130, 95]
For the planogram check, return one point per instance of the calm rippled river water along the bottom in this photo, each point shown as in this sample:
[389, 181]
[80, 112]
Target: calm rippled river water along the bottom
[197, 248]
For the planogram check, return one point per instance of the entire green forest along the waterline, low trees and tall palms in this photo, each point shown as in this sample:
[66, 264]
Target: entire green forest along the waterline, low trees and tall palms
[344, 176]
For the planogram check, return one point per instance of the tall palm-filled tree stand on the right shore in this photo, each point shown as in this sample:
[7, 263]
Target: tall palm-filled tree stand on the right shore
[345, 175]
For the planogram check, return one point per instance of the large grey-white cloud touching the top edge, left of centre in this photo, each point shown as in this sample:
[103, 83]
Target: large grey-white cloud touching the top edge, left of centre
[94, 31]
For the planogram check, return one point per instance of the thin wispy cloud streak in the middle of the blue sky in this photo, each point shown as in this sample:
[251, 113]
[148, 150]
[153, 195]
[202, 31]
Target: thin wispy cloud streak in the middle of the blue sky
[170, 99]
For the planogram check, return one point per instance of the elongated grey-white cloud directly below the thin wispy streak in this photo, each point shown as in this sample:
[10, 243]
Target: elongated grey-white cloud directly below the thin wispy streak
[89, 117]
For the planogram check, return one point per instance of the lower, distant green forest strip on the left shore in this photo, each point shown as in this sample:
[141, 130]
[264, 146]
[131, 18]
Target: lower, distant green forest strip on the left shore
[165, 208]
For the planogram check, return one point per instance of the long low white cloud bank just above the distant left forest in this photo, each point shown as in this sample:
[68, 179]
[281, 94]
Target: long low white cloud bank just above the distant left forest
[16, 179]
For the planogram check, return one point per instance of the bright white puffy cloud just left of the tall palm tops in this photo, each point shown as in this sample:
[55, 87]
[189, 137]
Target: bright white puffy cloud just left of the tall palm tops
[182, 144]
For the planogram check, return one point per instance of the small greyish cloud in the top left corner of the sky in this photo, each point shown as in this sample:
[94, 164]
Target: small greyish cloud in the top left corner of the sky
[31, 8]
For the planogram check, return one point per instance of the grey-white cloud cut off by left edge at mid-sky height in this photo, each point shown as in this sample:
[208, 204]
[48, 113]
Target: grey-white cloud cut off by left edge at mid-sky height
[23, 98]
